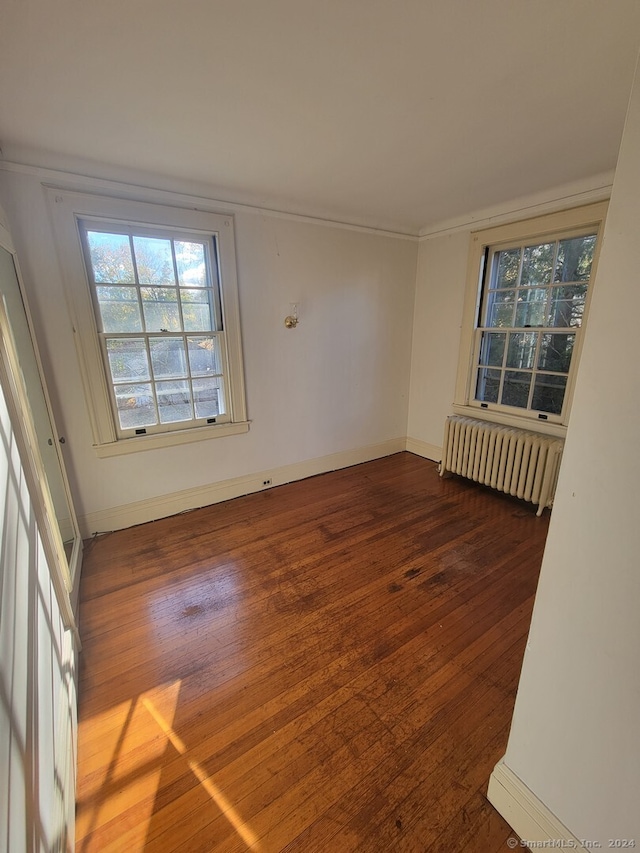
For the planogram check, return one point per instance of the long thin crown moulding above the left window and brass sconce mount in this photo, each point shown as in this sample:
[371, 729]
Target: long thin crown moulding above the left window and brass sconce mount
[69, 181]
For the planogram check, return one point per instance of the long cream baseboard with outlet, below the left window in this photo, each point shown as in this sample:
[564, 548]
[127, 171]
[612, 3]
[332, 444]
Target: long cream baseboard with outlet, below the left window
[139, 512]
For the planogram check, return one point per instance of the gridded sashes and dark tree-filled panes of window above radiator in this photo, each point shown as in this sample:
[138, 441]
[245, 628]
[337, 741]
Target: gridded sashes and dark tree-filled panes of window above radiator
[531, 312]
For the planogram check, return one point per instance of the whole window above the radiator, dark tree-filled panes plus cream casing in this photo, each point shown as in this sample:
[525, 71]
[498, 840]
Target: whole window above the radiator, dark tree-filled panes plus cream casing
[530, 295]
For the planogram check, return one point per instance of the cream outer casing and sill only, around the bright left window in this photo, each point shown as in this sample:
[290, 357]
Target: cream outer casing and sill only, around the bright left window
[67, 208]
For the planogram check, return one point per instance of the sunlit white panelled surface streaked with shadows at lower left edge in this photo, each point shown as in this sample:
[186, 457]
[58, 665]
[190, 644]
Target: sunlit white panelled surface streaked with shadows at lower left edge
[37, 677]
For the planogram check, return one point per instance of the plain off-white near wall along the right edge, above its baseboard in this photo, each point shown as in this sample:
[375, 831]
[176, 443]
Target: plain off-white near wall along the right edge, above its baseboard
[574, 741]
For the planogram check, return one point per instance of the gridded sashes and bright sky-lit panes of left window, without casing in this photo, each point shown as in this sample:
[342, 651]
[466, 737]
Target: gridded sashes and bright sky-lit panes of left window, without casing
[157, 305]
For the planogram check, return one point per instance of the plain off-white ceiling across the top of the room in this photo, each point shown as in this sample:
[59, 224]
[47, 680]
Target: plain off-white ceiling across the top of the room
[396, 114]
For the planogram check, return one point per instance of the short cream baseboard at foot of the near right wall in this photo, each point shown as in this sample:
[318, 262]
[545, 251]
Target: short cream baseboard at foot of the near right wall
[530, 818]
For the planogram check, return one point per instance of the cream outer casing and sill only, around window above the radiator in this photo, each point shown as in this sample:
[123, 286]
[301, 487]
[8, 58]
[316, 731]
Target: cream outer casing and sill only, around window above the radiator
[592, 215]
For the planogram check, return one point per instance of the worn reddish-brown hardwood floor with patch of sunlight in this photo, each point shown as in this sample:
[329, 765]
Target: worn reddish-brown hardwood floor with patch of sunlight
[329, 665]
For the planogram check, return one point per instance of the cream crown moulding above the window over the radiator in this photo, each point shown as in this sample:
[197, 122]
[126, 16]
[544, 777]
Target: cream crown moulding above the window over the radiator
[576, 194]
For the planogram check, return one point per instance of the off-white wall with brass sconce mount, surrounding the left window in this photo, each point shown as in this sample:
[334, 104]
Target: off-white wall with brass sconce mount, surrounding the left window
[332, 390]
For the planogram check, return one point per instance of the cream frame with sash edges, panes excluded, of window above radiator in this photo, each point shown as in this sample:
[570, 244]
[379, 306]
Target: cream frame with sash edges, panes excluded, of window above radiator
[554, 226]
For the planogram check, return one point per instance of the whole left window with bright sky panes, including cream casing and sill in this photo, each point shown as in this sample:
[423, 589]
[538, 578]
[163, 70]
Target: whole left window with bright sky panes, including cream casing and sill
[154, 296]
